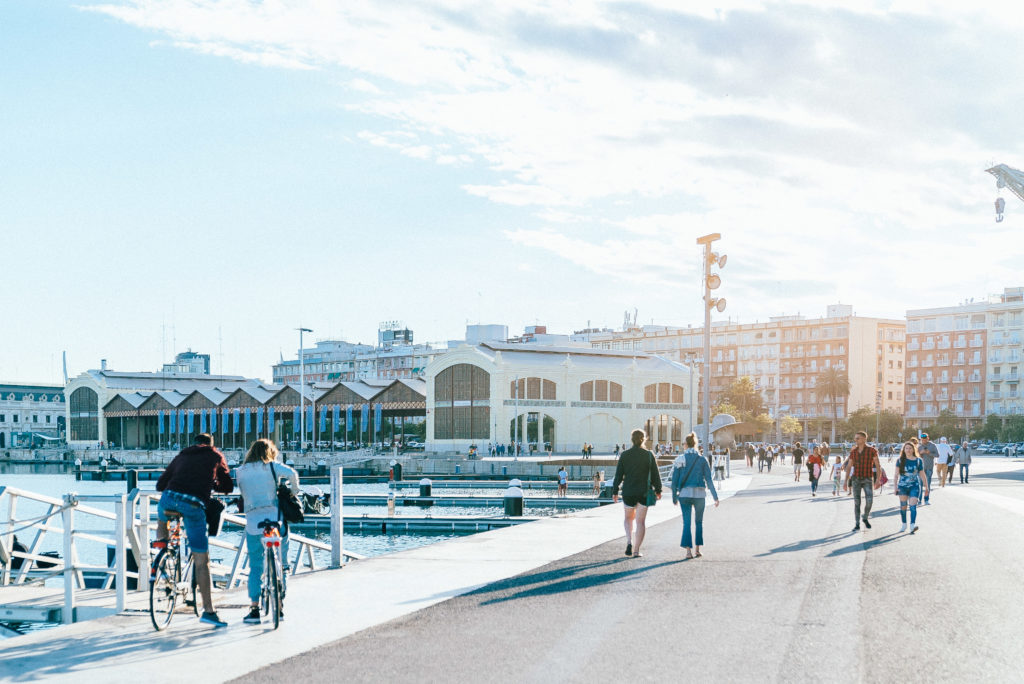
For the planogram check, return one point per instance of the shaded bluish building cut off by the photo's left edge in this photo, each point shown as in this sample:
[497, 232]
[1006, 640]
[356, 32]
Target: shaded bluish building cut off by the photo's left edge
[31, 415]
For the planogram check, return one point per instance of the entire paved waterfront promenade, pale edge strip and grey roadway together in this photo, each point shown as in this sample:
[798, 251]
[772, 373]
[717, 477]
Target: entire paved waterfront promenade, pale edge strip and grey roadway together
[786, 592]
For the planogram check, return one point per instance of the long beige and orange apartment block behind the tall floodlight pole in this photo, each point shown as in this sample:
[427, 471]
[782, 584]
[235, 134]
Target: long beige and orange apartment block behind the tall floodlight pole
[785, 357]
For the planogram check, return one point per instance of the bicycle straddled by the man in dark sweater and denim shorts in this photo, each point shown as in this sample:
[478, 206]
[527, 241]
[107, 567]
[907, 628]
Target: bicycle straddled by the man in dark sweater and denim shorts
[170, 578]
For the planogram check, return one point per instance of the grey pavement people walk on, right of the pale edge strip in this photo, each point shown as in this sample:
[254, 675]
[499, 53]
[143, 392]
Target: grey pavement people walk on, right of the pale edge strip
[786, 592]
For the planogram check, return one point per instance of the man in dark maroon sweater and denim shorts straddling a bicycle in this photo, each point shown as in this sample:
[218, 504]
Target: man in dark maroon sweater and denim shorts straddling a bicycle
[187, 485]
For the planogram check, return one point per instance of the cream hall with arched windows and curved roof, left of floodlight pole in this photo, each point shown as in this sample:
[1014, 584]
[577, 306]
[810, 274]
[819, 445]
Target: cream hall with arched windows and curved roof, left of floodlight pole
[556, 398]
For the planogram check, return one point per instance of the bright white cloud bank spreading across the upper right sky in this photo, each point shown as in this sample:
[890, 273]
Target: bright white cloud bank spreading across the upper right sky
[818, 137]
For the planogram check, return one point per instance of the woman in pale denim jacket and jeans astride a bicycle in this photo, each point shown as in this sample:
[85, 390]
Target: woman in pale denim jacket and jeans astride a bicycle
[259, 479]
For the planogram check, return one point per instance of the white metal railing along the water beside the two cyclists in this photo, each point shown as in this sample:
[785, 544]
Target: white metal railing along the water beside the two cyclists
[129, 530]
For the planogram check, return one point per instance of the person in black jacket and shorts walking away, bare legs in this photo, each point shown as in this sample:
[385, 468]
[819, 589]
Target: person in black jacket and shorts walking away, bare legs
[637, 474]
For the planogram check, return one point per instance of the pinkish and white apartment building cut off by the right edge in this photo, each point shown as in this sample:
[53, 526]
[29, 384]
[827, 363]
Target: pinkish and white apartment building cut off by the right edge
[966, 359]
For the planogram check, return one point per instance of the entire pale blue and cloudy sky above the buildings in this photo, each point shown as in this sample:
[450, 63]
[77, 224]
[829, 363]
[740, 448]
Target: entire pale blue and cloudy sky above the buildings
[212, 175]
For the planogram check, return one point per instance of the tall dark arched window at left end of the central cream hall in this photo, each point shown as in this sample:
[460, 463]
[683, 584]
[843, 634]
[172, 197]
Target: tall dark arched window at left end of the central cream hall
[462, 403]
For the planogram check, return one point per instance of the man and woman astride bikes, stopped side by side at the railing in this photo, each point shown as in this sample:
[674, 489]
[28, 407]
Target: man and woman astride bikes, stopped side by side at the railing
[187, 488]
